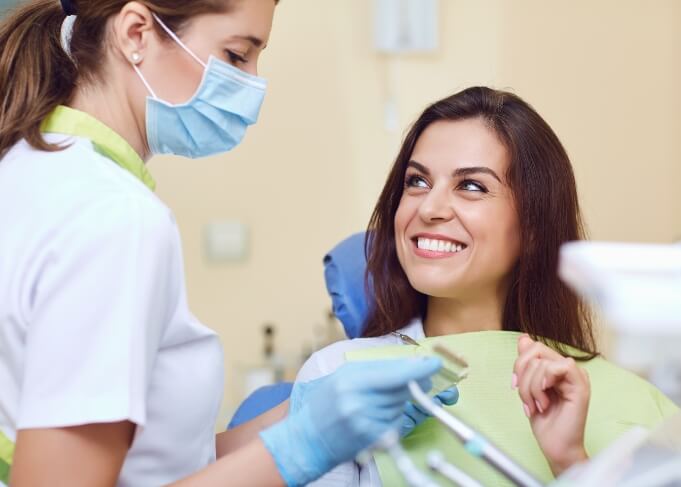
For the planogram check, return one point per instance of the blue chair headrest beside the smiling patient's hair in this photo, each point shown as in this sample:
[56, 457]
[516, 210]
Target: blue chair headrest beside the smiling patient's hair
[344, 269]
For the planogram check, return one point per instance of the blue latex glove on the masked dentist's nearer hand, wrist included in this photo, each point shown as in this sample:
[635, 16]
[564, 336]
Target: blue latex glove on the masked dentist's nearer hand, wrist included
[342, 414]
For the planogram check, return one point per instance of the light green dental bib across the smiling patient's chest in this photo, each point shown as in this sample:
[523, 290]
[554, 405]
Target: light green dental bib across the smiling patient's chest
[619, 400]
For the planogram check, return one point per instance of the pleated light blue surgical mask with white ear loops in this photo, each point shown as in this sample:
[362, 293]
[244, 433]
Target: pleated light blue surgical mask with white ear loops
[214, 120]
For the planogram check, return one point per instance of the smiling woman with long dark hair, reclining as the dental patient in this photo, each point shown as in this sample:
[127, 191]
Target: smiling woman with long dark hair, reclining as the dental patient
[465, 237]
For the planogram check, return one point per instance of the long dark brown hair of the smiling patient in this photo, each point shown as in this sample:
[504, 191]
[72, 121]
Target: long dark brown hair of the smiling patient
[543, 185]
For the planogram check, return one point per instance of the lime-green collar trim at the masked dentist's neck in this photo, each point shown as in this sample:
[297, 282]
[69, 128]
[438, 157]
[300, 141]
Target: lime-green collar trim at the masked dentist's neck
[67, 121]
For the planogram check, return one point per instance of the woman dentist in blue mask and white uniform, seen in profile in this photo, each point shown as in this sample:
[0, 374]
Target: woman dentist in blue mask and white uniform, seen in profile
[106, 378]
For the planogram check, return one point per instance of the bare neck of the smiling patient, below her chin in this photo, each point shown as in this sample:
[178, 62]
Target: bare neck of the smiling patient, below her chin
[447, 316]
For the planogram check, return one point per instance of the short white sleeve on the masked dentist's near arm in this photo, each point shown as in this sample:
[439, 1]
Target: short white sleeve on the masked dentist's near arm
[106, 290]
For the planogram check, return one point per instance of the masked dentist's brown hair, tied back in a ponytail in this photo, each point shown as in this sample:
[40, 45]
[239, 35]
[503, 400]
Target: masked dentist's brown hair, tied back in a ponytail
[36, 74]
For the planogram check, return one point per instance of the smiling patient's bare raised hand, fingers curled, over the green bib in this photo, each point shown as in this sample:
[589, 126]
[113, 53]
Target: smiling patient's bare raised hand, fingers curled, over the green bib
[555, 394]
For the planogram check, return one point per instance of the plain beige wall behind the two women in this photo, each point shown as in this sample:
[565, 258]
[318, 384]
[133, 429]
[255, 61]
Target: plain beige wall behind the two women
[605, 74]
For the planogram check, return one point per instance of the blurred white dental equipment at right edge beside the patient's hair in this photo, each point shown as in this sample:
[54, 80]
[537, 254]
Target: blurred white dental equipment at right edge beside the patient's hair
[637, 287]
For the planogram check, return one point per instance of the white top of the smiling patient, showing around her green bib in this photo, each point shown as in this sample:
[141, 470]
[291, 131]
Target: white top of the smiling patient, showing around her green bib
[325, 362]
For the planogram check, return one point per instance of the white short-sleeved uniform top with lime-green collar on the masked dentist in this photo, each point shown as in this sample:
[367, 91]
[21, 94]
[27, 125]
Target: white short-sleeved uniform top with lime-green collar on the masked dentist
[94, 322]
